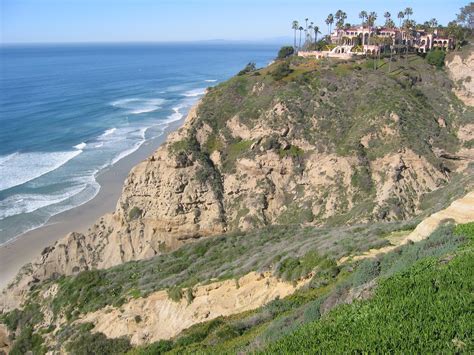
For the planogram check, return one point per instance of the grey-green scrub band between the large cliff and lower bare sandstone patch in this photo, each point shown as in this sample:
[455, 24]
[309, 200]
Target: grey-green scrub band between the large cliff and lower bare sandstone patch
[217, 258]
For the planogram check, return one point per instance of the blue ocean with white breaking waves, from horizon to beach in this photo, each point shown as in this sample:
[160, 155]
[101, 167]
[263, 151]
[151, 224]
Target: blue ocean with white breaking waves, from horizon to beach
[69, 111]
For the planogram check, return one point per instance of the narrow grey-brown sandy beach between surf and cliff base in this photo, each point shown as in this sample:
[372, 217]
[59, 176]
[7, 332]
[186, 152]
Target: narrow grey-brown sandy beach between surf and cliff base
[28, 246]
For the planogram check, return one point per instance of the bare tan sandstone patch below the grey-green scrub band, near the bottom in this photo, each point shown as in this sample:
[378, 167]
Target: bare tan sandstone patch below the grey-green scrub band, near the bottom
[156, 317]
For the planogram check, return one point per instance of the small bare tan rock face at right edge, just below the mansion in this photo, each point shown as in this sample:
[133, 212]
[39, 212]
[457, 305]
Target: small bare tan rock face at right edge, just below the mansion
[461, 70]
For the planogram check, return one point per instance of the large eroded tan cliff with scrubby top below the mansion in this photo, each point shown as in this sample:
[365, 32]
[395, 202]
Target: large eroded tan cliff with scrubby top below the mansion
[255, 152]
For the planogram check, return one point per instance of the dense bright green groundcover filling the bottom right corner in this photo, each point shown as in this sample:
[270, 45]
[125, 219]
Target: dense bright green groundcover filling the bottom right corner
[423, 308]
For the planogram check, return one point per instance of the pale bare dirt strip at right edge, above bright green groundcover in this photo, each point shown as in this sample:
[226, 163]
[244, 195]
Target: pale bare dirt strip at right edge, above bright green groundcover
[460, 211]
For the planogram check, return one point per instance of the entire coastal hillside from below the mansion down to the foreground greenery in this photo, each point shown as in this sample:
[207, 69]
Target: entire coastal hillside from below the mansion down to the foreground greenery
[240, 219]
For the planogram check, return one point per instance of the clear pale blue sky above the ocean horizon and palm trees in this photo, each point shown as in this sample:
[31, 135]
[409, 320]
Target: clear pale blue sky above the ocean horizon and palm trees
[51, 21]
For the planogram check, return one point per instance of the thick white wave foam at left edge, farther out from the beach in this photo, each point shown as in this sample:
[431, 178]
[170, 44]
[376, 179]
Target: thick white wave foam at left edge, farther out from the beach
[19, 168]
